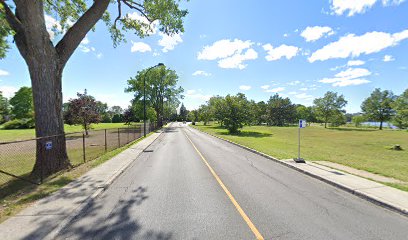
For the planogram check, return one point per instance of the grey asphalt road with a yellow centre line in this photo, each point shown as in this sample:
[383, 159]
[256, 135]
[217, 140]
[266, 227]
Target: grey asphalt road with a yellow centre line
[189, 185]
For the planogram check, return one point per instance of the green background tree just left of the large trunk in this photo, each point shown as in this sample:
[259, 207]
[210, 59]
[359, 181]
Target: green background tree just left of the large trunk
[22, 103]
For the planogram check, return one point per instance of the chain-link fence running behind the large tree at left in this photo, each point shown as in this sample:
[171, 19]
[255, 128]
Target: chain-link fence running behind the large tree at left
[17, 159]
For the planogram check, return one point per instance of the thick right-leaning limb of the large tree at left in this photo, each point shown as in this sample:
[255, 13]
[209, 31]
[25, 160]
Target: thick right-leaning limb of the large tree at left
[71, 40]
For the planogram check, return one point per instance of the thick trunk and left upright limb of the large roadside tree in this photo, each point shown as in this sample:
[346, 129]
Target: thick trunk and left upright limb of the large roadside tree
[45, 67]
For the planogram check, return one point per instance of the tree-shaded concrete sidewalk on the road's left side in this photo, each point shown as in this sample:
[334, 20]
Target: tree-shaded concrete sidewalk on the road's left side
[49, 215]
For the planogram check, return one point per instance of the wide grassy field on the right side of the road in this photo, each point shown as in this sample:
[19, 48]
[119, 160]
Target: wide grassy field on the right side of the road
[365, 149]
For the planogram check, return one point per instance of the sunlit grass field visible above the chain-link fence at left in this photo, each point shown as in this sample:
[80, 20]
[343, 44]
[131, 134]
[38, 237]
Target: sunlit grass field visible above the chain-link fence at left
[24, 134]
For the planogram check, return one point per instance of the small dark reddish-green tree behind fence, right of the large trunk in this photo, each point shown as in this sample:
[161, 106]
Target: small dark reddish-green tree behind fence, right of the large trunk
[82, 110]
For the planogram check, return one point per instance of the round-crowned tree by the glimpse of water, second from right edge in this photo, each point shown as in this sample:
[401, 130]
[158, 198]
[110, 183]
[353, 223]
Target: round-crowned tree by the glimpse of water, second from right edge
[378, 106]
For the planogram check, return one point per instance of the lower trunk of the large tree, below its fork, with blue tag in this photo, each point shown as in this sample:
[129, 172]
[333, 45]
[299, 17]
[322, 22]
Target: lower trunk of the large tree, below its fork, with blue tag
[47, 93]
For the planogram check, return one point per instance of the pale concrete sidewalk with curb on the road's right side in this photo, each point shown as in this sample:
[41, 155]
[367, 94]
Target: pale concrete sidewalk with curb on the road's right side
[380, 194]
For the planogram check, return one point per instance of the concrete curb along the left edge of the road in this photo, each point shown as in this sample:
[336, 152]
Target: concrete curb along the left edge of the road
[87, 202]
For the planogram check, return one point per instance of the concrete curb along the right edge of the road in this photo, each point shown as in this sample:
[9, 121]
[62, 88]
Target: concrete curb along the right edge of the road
[369, 198]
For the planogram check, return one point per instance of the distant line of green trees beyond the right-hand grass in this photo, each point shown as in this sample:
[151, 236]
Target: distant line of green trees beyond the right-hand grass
[235, 111]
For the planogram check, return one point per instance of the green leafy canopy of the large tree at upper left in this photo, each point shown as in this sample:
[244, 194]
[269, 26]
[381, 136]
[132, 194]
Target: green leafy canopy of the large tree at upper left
[141, 17]
